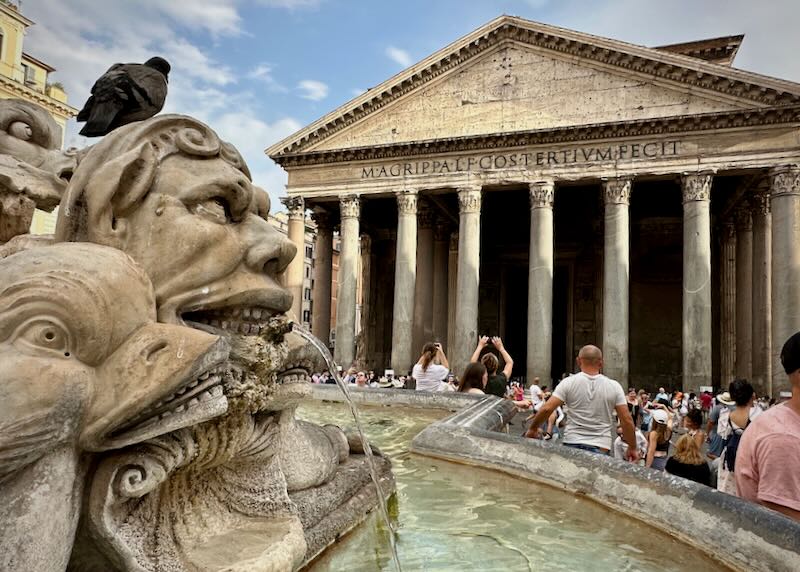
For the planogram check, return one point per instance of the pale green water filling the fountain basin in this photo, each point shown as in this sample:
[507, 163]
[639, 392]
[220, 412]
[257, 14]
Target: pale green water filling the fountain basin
[455, 517]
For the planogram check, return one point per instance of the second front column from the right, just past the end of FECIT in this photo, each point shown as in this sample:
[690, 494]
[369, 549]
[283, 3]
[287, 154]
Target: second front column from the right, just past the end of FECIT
[696, 281]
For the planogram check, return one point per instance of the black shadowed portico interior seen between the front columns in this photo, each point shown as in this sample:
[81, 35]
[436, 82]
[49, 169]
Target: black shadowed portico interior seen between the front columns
[656, 272]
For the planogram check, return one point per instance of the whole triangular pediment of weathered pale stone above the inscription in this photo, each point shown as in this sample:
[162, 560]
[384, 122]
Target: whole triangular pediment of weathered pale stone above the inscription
[516, 75]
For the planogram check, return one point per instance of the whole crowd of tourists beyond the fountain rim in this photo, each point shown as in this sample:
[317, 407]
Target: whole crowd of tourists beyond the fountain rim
[741, 443]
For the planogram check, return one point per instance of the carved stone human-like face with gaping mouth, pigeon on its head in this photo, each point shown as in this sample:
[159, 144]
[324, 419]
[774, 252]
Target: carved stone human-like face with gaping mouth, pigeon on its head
[179, 201]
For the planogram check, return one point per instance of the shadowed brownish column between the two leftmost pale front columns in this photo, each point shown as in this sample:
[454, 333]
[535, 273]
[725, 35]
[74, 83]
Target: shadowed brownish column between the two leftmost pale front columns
[323, 275]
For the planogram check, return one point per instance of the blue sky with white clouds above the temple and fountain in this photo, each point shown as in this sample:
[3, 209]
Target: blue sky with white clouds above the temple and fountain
[258, 70]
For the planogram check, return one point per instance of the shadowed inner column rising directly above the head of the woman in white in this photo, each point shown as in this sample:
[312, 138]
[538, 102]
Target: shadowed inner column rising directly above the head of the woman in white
[423, 290]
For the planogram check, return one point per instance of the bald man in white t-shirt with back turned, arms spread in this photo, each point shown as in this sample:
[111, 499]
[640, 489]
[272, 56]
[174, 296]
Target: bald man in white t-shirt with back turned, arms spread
[591, 399]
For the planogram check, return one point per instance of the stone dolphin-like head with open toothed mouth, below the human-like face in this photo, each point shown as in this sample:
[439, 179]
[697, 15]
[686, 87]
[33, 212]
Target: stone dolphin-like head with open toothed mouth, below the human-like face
[82, 359]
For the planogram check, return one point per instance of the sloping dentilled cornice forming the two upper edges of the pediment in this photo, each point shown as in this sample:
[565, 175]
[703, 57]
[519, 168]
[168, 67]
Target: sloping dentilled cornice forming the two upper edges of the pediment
[686, 70]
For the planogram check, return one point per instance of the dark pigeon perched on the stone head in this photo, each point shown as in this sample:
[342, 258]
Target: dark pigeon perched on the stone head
[125, 93]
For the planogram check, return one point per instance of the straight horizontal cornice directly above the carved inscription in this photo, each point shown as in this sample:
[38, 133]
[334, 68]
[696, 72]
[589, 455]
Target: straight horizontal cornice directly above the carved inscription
[678, 124]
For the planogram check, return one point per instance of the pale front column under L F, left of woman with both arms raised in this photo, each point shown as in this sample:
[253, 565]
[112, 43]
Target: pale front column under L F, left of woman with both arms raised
[469, 261]
